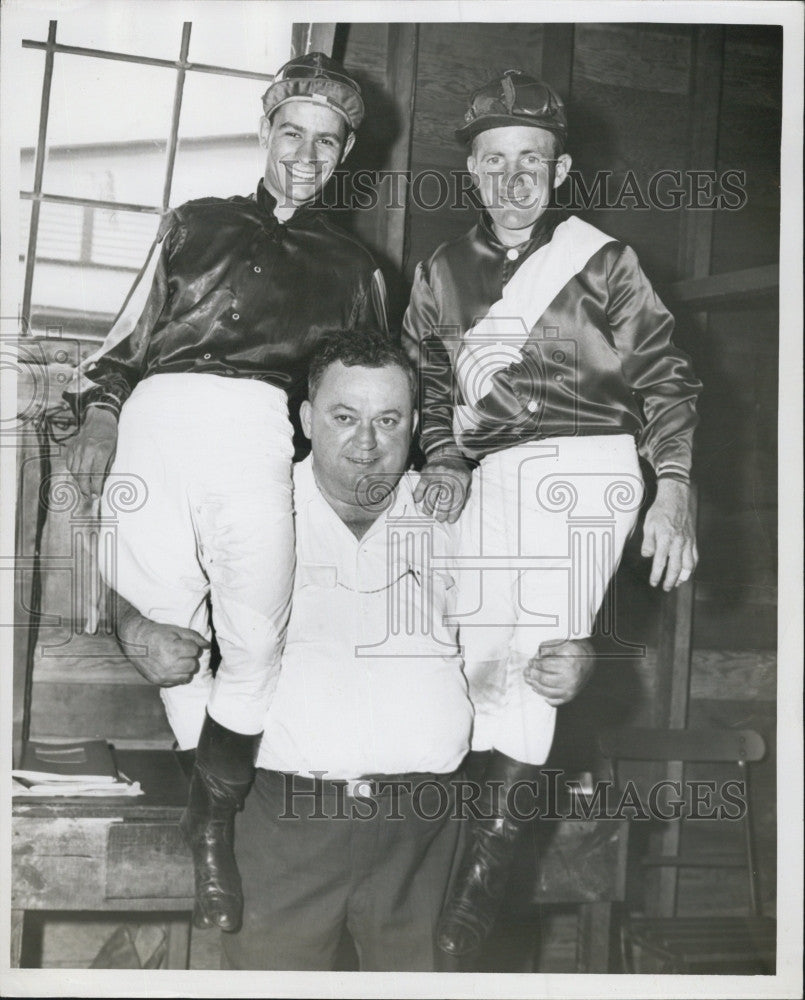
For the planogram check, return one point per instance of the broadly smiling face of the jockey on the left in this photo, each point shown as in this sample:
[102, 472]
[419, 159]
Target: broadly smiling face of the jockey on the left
[305, 143]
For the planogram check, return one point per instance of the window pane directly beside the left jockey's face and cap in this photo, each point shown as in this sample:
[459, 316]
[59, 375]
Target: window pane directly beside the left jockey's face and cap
[218, 151]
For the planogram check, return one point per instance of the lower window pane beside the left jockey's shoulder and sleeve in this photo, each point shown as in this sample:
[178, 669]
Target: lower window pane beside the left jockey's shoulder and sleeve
[86, 262]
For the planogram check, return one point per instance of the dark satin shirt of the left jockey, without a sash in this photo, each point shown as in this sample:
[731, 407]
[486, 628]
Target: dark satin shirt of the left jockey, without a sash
[238, 293]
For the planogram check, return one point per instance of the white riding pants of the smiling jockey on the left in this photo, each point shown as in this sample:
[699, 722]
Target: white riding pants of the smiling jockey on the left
[207, 521]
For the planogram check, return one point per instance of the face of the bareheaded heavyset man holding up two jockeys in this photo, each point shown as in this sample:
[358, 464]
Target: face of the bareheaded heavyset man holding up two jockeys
[360, 425]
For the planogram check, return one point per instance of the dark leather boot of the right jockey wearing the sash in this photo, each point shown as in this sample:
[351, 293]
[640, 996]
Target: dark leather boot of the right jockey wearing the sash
[487, 863]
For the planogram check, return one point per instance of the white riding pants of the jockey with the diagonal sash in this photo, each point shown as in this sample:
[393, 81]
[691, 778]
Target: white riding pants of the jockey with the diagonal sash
[539, 541]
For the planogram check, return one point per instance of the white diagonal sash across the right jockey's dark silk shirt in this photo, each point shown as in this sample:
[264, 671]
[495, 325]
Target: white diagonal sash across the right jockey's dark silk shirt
[496, 341]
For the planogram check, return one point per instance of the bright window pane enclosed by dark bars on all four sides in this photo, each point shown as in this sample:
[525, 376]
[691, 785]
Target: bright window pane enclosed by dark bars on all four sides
[108, 129]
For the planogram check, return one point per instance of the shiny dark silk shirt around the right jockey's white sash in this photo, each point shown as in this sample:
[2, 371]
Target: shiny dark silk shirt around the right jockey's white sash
[599, 360]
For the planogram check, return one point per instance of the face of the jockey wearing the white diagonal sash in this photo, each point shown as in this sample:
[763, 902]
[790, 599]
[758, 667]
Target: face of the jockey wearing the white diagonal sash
[513, 167]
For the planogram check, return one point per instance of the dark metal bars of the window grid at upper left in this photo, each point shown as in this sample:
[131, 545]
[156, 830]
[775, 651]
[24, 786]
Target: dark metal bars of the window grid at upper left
[37, 196]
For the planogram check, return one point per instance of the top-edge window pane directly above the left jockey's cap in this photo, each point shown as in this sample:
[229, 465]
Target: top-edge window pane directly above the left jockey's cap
[251, 36]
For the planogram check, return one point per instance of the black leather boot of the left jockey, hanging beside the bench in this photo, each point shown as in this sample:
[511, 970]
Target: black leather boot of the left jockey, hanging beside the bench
[221, 778]
